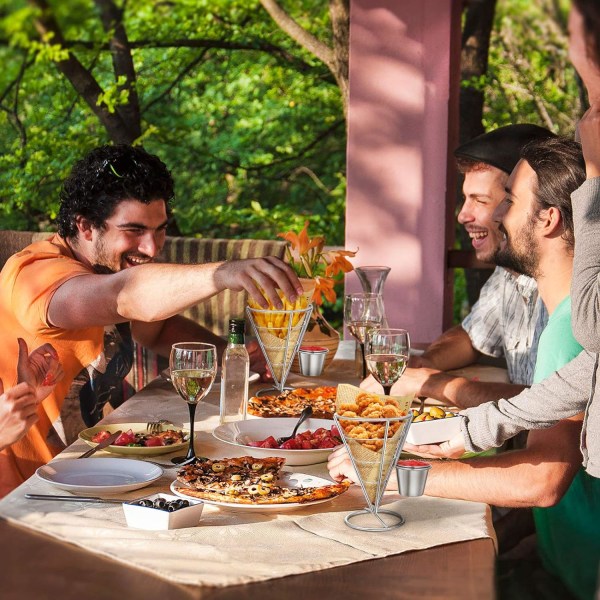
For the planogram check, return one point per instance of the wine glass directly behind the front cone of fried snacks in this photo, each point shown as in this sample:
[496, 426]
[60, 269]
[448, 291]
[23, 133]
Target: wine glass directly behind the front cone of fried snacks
[387, 353]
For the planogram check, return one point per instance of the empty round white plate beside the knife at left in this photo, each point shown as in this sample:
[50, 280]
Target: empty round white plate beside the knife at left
[95, 475]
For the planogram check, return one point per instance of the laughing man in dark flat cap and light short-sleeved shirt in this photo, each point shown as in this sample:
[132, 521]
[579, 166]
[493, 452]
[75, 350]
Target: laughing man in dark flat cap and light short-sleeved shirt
[508, 318]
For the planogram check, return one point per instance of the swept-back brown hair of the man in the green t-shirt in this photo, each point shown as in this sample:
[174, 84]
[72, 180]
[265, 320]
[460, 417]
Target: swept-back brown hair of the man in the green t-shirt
[560, 169]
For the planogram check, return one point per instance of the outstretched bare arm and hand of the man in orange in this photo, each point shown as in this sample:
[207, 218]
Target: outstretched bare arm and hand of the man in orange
[156, 292]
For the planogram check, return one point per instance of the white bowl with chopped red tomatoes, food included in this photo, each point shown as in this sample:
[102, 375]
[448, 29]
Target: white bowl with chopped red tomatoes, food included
[313, 443]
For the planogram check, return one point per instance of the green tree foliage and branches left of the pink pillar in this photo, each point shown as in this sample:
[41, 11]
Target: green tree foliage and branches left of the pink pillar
[249, 122]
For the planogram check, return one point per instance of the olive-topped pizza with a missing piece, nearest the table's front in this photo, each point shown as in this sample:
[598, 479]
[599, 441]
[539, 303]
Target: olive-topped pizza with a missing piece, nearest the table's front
[247, 480]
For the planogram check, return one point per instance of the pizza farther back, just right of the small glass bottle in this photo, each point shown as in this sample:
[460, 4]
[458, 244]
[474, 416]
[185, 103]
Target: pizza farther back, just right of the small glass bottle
[291, 403]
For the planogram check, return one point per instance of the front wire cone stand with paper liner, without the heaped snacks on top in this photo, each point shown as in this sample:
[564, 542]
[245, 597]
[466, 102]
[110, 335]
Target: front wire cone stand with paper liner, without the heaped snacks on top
[373, 467]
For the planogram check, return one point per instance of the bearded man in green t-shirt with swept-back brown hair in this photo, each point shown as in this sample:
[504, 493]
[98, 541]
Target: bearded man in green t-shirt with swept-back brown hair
[536, 220]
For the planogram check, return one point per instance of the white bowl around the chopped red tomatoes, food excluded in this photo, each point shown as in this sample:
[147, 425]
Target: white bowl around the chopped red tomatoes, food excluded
[239, 432]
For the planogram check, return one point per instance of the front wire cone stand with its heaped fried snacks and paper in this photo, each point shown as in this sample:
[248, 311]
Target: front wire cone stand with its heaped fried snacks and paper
[373, 428]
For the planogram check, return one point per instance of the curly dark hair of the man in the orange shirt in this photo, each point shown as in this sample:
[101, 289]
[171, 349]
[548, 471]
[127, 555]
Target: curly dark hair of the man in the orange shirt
[105, 177]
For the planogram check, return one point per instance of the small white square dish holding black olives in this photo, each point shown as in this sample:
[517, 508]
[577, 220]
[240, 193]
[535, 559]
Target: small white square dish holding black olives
[146, 517]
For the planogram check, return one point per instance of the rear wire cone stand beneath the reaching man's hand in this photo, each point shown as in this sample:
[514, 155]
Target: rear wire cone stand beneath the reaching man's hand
[279, 334]
